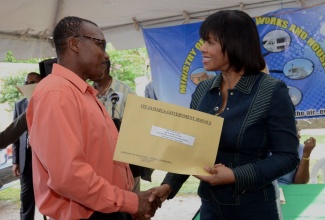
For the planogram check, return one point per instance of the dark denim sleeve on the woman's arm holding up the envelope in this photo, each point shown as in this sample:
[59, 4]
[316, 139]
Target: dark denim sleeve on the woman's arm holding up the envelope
[283, 141]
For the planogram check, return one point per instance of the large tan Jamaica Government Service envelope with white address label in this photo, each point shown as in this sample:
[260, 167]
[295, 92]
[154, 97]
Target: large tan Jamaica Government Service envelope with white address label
[167, 137]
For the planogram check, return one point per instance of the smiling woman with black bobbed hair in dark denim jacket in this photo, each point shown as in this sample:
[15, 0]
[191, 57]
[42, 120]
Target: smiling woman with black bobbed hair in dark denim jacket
[259, 118]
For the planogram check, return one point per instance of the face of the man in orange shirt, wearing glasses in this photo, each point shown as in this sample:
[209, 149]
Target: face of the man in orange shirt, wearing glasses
[92, 54]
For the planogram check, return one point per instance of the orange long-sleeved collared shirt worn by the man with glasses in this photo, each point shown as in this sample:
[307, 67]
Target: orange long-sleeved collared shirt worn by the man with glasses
[73, 141]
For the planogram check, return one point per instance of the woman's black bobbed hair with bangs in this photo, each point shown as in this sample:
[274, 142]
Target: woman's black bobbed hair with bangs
[237, 33]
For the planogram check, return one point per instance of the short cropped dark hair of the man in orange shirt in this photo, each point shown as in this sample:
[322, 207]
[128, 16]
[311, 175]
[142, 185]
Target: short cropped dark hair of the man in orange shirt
[67, 27]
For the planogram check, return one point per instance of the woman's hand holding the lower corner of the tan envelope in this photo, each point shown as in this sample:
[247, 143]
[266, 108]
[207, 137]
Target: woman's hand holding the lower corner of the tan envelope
[220, 175]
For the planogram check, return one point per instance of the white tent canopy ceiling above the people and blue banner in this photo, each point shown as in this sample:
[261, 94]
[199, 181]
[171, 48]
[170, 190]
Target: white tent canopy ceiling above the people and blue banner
[26, 25]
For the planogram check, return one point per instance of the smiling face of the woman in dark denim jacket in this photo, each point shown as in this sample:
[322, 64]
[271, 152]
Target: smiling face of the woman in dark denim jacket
[213, 58]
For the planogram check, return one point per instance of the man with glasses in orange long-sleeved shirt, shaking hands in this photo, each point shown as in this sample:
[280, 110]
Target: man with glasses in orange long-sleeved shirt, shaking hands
[73, 138]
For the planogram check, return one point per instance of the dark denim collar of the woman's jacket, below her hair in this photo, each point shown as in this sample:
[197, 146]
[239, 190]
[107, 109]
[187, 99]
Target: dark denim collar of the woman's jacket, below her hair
[244, 85]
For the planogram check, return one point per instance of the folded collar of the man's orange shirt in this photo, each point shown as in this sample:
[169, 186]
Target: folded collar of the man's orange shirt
[73, 78]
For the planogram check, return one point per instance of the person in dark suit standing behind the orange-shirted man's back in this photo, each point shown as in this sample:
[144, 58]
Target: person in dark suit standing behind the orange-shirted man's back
[22, 158]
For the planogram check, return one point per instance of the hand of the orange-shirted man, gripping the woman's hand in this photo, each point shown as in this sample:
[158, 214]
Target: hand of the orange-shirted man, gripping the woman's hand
[147, 209]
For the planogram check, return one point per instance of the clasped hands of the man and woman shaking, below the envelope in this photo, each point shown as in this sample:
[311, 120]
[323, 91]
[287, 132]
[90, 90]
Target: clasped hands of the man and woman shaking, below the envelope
[151, 200]
